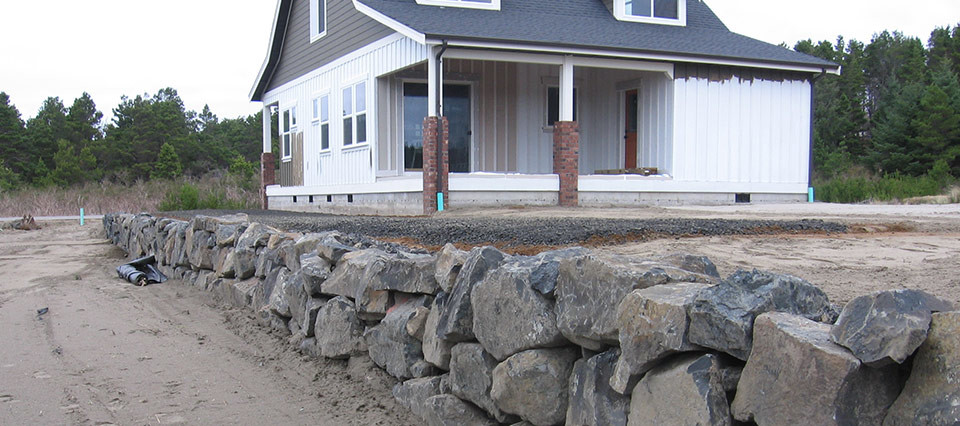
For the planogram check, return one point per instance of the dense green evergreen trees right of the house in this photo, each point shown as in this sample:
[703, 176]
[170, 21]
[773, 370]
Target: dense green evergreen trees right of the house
[893, 110]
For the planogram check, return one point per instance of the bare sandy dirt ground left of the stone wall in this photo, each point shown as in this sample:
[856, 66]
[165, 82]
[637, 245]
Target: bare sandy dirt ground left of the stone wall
[107, 352]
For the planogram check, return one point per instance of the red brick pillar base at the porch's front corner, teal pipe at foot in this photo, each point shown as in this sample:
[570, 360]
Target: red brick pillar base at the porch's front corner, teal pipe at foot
[434, 163]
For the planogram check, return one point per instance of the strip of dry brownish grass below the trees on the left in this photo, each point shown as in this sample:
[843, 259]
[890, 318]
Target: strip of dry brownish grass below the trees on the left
[102, 198]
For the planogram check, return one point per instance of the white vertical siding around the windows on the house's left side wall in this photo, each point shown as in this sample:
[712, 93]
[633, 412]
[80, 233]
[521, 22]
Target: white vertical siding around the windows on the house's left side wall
[354, 164]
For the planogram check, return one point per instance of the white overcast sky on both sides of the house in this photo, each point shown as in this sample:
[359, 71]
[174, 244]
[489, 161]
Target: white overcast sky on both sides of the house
[211, 50]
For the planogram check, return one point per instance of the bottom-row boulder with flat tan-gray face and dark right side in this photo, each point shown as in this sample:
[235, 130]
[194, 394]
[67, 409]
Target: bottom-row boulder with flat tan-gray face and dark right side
[687, 390]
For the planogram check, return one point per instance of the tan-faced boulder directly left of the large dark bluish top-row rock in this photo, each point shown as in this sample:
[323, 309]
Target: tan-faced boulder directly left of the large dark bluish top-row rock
[652, 324]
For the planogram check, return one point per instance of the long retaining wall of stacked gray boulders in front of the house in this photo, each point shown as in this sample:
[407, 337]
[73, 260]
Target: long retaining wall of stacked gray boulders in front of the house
[573, 336]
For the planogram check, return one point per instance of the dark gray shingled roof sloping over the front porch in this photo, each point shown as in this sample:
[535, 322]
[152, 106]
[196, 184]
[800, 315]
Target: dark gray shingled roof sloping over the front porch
[588, 23]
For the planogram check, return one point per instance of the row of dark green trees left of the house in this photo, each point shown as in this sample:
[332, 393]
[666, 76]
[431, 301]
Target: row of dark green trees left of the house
[149, 137]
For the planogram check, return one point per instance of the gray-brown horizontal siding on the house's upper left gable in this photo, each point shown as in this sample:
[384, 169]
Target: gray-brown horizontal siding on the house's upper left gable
[347, 30]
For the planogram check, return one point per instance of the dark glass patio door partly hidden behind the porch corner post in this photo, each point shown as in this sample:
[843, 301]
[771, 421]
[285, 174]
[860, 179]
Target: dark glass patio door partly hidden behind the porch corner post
[456, 107]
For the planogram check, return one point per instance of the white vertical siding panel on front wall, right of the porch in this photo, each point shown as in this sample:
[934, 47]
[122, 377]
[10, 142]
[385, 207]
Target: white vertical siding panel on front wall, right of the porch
[739, 125]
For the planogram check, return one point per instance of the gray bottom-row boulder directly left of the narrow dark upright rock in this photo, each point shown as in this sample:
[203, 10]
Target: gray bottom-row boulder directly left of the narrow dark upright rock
[534, 384]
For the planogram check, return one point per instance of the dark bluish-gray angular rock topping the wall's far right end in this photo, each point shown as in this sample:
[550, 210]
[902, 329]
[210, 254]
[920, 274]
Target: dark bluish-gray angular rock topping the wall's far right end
[886, 326]
